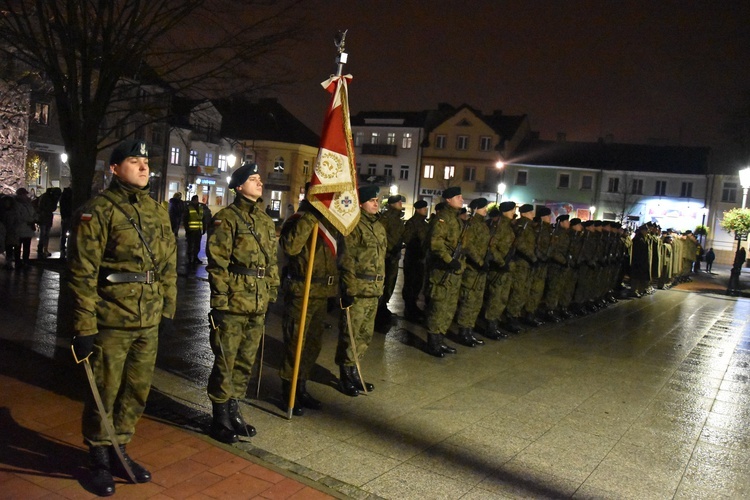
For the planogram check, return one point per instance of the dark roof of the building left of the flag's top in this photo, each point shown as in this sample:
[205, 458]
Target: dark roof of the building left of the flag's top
[264, 119]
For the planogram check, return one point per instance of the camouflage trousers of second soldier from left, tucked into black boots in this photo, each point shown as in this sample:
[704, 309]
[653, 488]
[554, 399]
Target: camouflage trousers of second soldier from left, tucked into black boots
[234, 344]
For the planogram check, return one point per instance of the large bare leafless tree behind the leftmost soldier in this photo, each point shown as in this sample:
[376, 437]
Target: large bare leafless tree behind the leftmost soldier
[95, 53]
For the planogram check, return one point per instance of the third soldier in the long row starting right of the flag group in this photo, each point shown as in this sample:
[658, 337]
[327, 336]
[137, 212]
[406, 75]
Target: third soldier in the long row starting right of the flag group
[499, 257]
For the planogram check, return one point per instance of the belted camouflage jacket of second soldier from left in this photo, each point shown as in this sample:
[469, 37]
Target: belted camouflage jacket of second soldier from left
[242, 264]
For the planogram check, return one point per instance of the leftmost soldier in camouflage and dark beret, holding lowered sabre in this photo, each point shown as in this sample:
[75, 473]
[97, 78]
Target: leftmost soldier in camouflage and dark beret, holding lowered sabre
[122, 262]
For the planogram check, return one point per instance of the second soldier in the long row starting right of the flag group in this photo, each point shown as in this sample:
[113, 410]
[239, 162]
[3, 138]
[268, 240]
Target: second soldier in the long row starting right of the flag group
[474, 278]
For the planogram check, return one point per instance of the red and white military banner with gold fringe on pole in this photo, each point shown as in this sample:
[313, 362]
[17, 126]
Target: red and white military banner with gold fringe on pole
[333, 187]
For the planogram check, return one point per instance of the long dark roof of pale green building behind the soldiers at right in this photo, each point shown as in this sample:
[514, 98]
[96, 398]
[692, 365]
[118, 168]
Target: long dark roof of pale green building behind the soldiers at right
[614, 156]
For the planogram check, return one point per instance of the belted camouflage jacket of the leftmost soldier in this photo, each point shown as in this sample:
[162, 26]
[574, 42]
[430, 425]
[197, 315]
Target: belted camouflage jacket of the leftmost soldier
[104, 242]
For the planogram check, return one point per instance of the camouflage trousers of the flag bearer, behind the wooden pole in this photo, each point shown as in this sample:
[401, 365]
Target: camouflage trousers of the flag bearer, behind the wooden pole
[311, 338]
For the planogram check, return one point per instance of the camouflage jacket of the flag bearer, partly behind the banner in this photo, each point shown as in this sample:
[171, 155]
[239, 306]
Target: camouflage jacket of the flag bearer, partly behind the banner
[295, 243]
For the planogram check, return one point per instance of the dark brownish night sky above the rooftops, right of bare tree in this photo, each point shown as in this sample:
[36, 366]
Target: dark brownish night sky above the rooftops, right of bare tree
[640, 70]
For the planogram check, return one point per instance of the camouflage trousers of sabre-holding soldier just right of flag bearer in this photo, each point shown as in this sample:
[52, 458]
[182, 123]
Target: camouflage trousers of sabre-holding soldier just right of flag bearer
[362, 313]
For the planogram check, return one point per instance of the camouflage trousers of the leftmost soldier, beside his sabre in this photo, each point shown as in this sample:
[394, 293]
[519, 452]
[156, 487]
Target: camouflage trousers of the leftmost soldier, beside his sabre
[123, 366]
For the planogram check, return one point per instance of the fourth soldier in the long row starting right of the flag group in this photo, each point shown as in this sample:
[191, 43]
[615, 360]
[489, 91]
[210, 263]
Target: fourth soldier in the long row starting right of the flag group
[524, 258]
